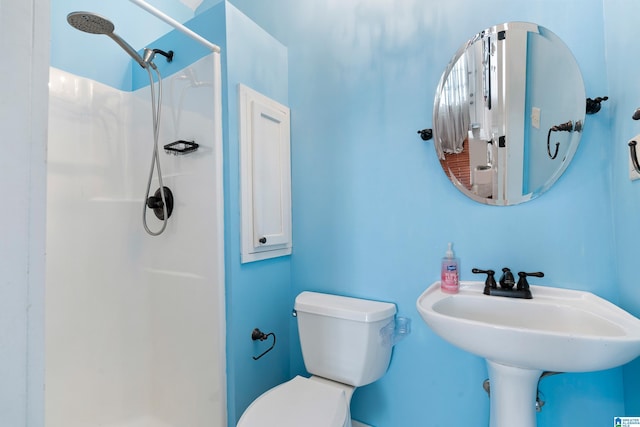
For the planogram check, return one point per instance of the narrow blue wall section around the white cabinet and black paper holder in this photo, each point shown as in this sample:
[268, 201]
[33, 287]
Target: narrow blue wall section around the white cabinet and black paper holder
[258, 293]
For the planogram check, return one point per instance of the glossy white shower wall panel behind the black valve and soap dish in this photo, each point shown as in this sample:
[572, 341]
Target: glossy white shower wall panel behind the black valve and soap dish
[186, 288]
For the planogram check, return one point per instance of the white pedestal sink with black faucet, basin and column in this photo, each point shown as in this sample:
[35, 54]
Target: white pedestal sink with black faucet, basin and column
[559, 330]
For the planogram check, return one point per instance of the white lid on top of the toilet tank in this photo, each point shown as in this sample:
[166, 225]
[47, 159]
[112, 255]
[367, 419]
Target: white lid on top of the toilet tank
[342, 307]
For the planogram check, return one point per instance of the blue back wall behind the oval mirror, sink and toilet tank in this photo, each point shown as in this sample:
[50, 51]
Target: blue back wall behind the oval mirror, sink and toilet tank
[373, 211]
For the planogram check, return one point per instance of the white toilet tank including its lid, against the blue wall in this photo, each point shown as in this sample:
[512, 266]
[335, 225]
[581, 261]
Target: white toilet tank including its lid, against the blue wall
[345, 339]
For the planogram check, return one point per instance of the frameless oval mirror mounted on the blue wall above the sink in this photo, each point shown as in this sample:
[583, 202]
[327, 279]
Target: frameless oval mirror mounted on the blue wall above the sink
[508, 113]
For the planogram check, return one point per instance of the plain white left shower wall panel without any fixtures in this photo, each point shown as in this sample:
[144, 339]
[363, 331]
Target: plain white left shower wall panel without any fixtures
[97, 340]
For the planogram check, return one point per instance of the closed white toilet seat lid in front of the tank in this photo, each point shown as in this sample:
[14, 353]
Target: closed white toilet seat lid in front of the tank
[298, 402]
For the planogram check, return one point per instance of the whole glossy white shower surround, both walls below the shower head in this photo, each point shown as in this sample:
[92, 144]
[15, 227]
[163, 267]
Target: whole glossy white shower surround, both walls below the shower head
[135, 324]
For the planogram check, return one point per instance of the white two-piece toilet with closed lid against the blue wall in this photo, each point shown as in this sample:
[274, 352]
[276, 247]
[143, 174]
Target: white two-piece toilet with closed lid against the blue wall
[346, 343]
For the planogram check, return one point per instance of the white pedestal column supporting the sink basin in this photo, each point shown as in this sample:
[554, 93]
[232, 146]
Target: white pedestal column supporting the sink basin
[513, 395]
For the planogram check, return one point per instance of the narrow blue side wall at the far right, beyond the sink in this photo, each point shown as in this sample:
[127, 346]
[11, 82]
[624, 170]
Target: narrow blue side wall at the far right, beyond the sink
[622, 66]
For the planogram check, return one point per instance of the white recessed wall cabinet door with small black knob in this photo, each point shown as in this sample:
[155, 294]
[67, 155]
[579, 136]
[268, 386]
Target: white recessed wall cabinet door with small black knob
[265, 176]
